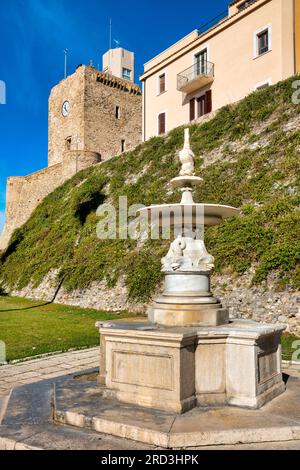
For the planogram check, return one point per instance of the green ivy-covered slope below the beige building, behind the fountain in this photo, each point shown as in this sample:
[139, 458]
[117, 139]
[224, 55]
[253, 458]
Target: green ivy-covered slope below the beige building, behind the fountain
[248, 155]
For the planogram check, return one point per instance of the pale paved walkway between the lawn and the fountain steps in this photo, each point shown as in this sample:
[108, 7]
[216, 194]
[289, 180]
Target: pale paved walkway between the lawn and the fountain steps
[13, 375]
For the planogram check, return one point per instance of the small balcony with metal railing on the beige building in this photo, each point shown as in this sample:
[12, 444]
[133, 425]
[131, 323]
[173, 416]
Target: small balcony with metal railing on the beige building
[195, 77]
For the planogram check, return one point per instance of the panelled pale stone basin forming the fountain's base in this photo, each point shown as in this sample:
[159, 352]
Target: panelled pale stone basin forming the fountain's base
[179, 368]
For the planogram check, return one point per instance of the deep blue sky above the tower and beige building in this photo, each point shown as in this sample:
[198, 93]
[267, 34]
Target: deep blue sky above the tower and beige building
[33, 35]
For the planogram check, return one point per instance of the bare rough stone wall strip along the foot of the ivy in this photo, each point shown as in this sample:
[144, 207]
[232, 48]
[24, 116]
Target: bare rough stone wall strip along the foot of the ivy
[261, 303]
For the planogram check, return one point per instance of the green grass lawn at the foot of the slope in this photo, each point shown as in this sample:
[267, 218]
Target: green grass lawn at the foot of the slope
[30, 328]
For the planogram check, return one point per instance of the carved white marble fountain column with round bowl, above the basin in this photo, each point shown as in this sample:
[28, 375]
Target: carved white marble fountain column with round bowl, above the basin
[187, 299]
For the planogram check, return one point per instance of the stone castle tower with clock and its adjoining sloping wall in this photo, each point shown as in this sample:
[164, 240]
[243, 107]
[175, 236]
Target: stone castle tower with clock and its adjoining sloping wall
[93, 116]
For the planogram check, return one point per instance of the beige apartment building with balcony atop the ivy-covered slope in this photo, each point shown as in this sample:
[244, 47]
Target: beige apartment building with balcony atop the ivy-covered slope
[256, 45]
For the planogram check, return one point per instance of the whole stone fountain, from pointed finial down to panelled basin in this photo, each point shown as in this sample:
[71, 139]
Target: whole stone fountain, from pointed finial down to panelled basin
[190, 353]
